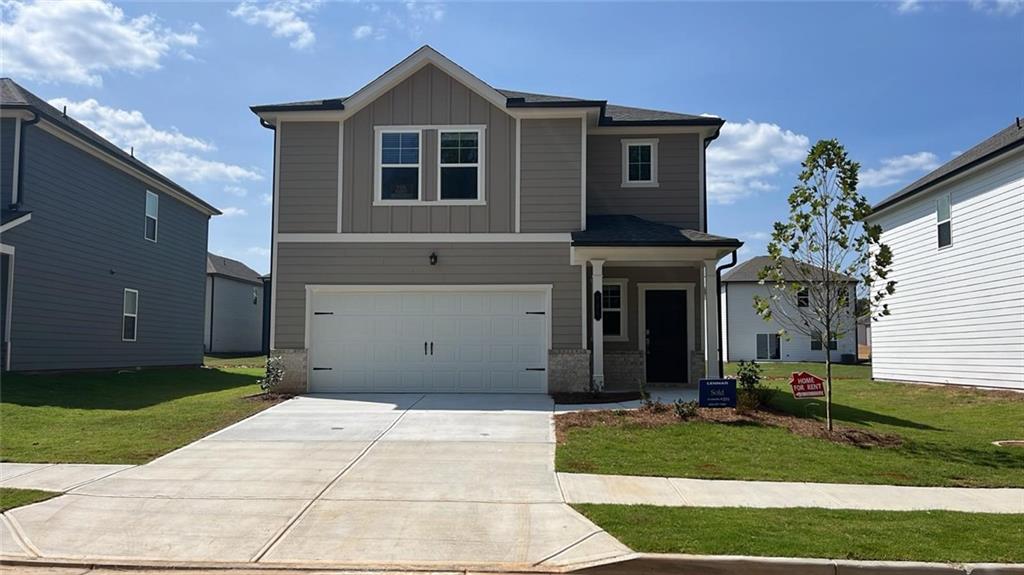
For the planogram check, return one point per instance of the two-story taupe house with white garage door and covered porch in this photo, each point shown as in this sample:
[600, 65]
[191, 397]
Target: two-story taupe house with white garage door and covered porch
[435, 234]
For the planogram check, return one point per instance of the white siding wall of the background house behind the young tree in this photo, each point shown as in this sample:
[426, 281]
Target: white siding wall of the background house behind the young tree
[742, 326]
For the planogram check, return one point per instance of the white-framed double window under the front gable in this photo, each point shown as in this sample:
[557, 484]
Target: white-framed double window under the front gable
[400, 178]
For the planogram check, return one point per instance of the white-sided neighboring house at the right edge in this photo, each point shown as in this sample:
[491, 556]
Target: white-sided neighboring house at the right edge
[958, 242]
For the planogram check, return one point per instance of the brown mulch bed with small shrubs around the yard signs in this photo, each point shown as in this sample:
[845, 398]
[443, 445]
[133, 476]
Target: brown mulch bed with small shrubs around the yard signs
[649, 418]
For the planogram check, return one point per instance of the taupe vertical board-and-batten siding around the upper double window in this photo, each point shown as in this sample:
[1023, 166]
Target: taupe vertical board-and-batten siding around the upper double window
[430, 98]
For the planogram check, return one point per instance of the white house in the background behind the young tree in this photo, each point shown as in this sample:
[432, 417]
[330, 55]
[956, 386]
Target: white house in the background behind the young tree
[749, 337]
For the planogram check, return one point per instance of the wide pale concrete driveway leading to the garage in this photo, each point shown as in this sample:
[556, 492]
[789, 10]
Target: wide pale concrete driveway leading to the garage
[400, 480]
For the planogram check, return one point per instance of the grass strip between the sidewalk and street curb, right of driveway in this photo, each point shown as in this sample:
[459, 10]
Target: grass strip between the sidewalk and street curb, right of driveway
[936, 537]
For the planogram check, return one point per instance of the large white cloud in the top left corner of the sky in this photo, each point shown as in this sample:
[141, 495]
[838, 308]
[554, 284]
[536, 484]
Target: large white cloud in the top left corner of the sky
[79, 41]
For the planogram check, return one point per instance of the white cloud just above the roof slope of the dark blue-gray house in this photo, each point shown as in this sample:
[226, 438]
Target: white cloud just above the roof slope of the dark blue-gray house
[176, 155]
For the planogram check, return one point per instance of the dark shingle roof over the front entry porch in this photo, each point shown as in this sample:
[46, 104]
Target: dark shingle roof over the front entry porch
[632, 231]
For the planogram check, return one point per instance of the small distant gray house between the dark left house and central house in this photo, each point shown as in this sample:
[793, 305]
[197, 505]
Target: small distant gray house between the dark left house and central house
[234, 307]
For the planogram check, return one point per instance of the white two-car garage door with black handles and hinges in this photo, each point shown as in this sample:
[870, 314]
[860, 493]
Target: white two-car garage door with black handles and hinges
[482, 339]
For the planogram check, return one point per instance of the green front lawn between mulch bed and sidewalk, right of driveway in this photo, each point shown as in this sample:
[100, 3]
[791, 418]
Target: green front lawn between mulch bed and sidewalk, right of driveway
[948, 435]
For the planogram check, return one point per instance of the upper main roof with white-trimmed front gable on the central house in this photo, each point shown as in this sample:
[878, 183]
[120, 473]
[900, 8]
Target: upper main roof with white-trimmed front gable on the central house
[611, 115]
